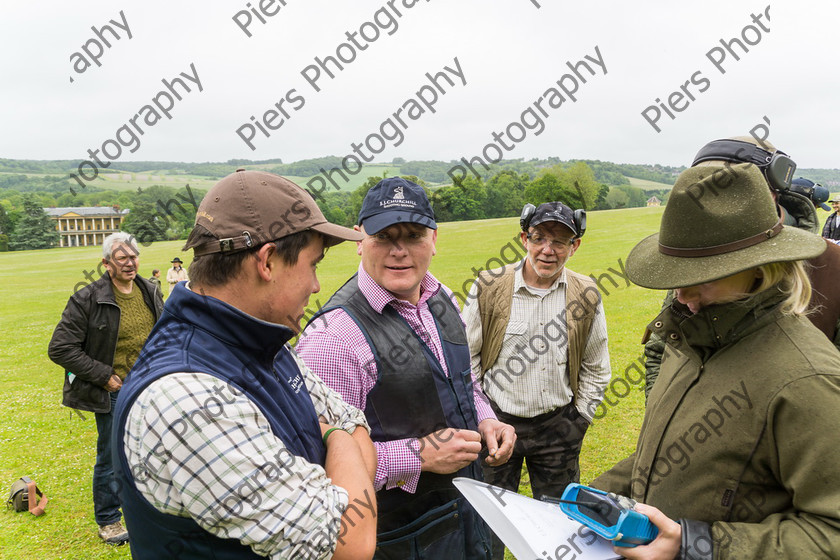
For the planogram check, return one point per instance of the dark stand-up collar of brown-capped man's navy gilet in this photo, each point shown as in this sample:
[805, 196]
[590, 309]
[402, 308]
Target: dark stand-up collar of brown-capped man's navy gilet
[226, 323]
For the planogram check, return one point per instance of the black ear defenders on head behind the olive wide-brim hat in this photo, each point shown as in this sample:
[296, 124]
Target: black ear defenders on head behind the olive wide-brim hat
[777, 167]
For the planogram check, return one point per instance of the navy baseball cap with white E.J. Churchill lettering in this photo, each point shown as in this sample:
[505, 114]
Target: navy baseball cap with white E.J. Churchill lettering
[395, 200]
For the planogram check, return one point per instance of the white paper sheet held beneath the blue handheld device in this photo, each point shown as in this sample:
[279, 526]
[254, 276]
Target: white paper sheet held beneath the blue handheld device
[531, 529]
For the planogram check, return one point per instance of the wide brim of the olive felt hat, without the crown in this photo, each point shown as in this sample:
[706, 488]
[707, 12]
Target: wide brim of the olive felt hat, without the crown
[649, 268]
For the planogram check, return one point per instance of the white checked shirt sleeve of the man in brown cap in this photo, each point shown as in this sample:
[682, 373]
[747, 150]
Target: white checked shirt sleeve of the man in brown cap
[198, 449]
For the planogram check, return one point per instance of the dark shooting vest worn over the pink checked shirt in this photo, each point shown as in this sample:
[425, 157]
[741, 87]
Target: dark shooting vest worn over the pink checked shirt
[413, 397]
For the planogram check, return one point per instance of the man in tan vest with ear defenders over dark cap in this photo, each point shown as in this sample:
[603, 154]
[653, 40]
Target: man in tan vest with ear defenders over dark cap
[538, 342]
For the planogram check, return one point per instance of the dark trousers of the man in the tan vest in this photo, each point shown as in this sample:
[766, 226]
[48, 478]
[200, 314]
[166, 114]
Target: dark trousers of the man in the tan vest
[549, 444]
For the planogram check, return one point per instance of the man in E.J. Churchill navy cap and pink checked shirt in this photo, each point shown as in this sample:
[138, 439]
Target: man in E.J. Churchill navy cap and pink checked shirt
[392, 342]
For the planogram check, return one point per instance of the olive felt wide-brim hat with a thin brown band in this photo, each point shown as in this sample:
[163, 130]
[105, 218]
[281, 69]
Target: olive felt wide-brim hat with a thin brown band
[720, 220]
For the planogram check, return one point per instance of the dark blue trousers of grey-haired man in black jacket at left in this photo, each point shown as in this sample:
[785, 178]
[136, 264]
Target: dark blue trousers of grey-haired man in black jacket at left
[106, 502]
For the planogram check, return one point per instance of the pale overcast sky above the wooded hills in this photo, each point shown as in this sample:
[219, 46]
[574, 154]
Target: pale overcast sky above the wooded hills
[510, 53]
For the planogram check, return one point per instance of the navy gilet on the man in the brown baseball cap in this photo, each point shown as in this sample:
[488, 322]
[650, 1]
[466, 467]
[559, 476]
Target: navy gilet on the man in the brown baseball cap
[202, 334]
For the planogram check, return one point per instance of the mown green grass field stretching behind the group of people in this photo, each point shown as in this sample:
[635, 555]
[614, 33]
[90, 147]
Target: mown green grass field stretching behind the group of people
[55, 446]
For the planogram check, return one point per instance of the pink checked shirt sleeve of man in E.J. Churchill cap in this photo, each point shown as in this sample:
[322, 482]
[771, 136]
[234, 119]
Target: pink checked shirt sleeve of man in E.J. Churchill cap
[335, 349]
